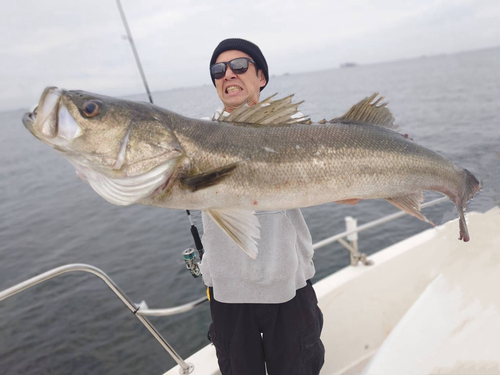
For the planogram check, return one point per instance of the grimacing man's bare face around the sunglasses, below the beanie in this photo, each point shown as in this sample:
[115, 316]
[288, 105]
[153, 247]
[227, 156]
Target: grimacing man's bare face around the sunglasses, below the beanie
[236, 89]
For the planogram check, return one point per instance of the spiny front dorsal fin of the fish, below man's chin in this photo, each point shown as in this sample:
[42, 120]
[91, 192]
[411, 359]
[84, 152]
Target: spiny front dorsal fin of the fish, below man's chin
[268, 113]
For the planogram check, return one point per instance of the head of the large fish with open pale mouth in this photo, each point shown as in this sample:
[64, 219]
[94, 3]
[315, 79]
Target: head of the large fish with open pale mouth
[121, 148]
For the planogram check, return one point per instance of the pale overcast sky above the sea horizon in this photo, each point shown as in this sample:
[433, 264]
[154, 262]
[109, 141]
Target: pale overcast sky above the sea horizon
[80, 45]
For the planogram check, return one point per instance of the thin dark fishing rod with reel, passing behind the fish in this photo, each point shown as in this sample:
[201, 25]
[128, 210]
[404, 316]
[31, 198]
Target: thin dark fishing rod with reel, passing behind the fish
[192, 263]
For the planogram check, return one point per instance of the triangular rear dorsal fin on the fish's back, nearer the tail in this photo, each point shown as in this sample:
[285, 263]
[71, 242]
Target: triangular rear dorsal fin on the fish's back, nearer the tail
[370, 113]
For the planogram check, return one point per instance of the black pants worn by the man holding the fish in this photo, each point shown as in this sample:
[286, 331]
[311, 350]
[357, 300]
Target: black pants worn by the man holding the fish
[290, 343]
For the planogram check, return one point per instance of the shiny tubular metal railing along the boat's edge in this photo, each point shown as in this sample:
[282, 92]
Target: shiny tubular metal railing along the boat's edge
[141, 310]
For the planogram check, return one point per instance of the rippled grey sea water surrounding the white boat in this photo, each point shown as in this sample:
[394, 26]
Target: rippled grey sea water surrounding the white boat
[49, 217]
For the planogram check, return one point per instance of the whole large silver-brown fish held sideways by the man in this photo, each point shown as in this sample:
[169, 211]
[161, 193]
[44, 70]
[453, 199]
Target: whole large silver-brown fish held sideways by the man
[256, 159]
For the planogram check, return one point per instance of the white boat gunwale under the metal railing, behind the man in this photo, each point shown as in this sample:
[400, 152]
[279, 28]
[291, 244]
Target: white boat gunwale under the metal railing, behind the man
[361, 305]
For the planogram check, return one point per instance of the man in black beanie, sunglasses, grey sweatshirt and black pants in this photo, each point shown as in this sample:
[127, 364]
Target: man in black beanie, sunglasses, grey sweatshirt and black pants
[264, 311]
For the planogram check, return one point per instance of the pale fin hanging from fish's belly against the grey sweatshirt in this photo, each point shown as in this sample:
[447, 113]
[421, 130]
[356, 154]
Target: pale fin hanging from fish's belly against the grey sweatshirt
[242, 226]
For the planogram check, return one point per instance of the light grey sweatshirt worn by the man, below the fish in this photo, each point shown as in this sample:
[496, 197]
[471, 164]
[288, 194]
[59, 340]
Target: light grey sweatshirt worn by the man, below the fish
[283, 264]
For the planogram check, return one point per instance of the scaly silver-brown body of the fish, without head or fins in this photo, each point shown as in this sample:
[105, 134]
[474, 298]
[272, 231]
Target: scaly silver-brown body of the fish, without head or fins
[337, 161]
